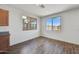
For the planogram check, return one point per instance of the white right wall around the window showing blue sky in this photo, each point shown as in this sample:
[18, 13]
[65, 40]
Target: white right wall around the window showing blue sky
[69, 29]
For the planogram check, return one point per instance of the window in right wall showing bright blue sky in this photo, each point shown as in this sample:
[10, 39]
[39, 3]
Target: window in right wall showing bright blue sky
[53, 23]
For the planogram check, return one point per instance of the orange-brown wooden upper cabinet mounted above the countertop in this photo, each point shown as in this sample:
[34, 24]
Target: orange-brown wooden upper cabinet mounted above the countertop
[3, 17]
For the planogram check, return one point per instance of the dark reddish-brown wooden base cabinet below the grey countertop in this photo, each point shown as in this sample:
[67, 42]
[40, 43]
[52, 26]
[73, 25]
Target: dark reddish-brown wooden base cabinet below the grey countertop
[4, 43]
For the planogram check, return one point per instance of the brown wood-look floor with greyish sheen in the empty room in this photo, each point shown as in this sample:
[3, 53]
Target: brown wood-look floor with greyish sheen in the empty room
[42, 45]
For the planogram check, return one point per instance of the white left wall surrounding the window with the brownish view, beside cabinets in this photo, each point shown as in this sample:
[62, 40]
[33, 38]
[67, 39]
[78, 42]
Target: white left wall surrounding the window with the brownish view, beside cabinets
[17, 35]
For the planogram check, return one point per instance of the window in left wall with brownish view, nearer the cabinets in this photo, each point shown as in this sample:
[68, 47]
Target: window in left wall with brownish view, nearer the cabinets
[29, 23]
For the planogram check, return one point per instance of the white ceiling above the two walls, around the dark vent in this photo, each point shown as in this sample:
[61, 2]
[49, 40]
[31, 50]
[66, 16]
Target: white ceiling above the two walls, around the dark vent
[49, 8]
